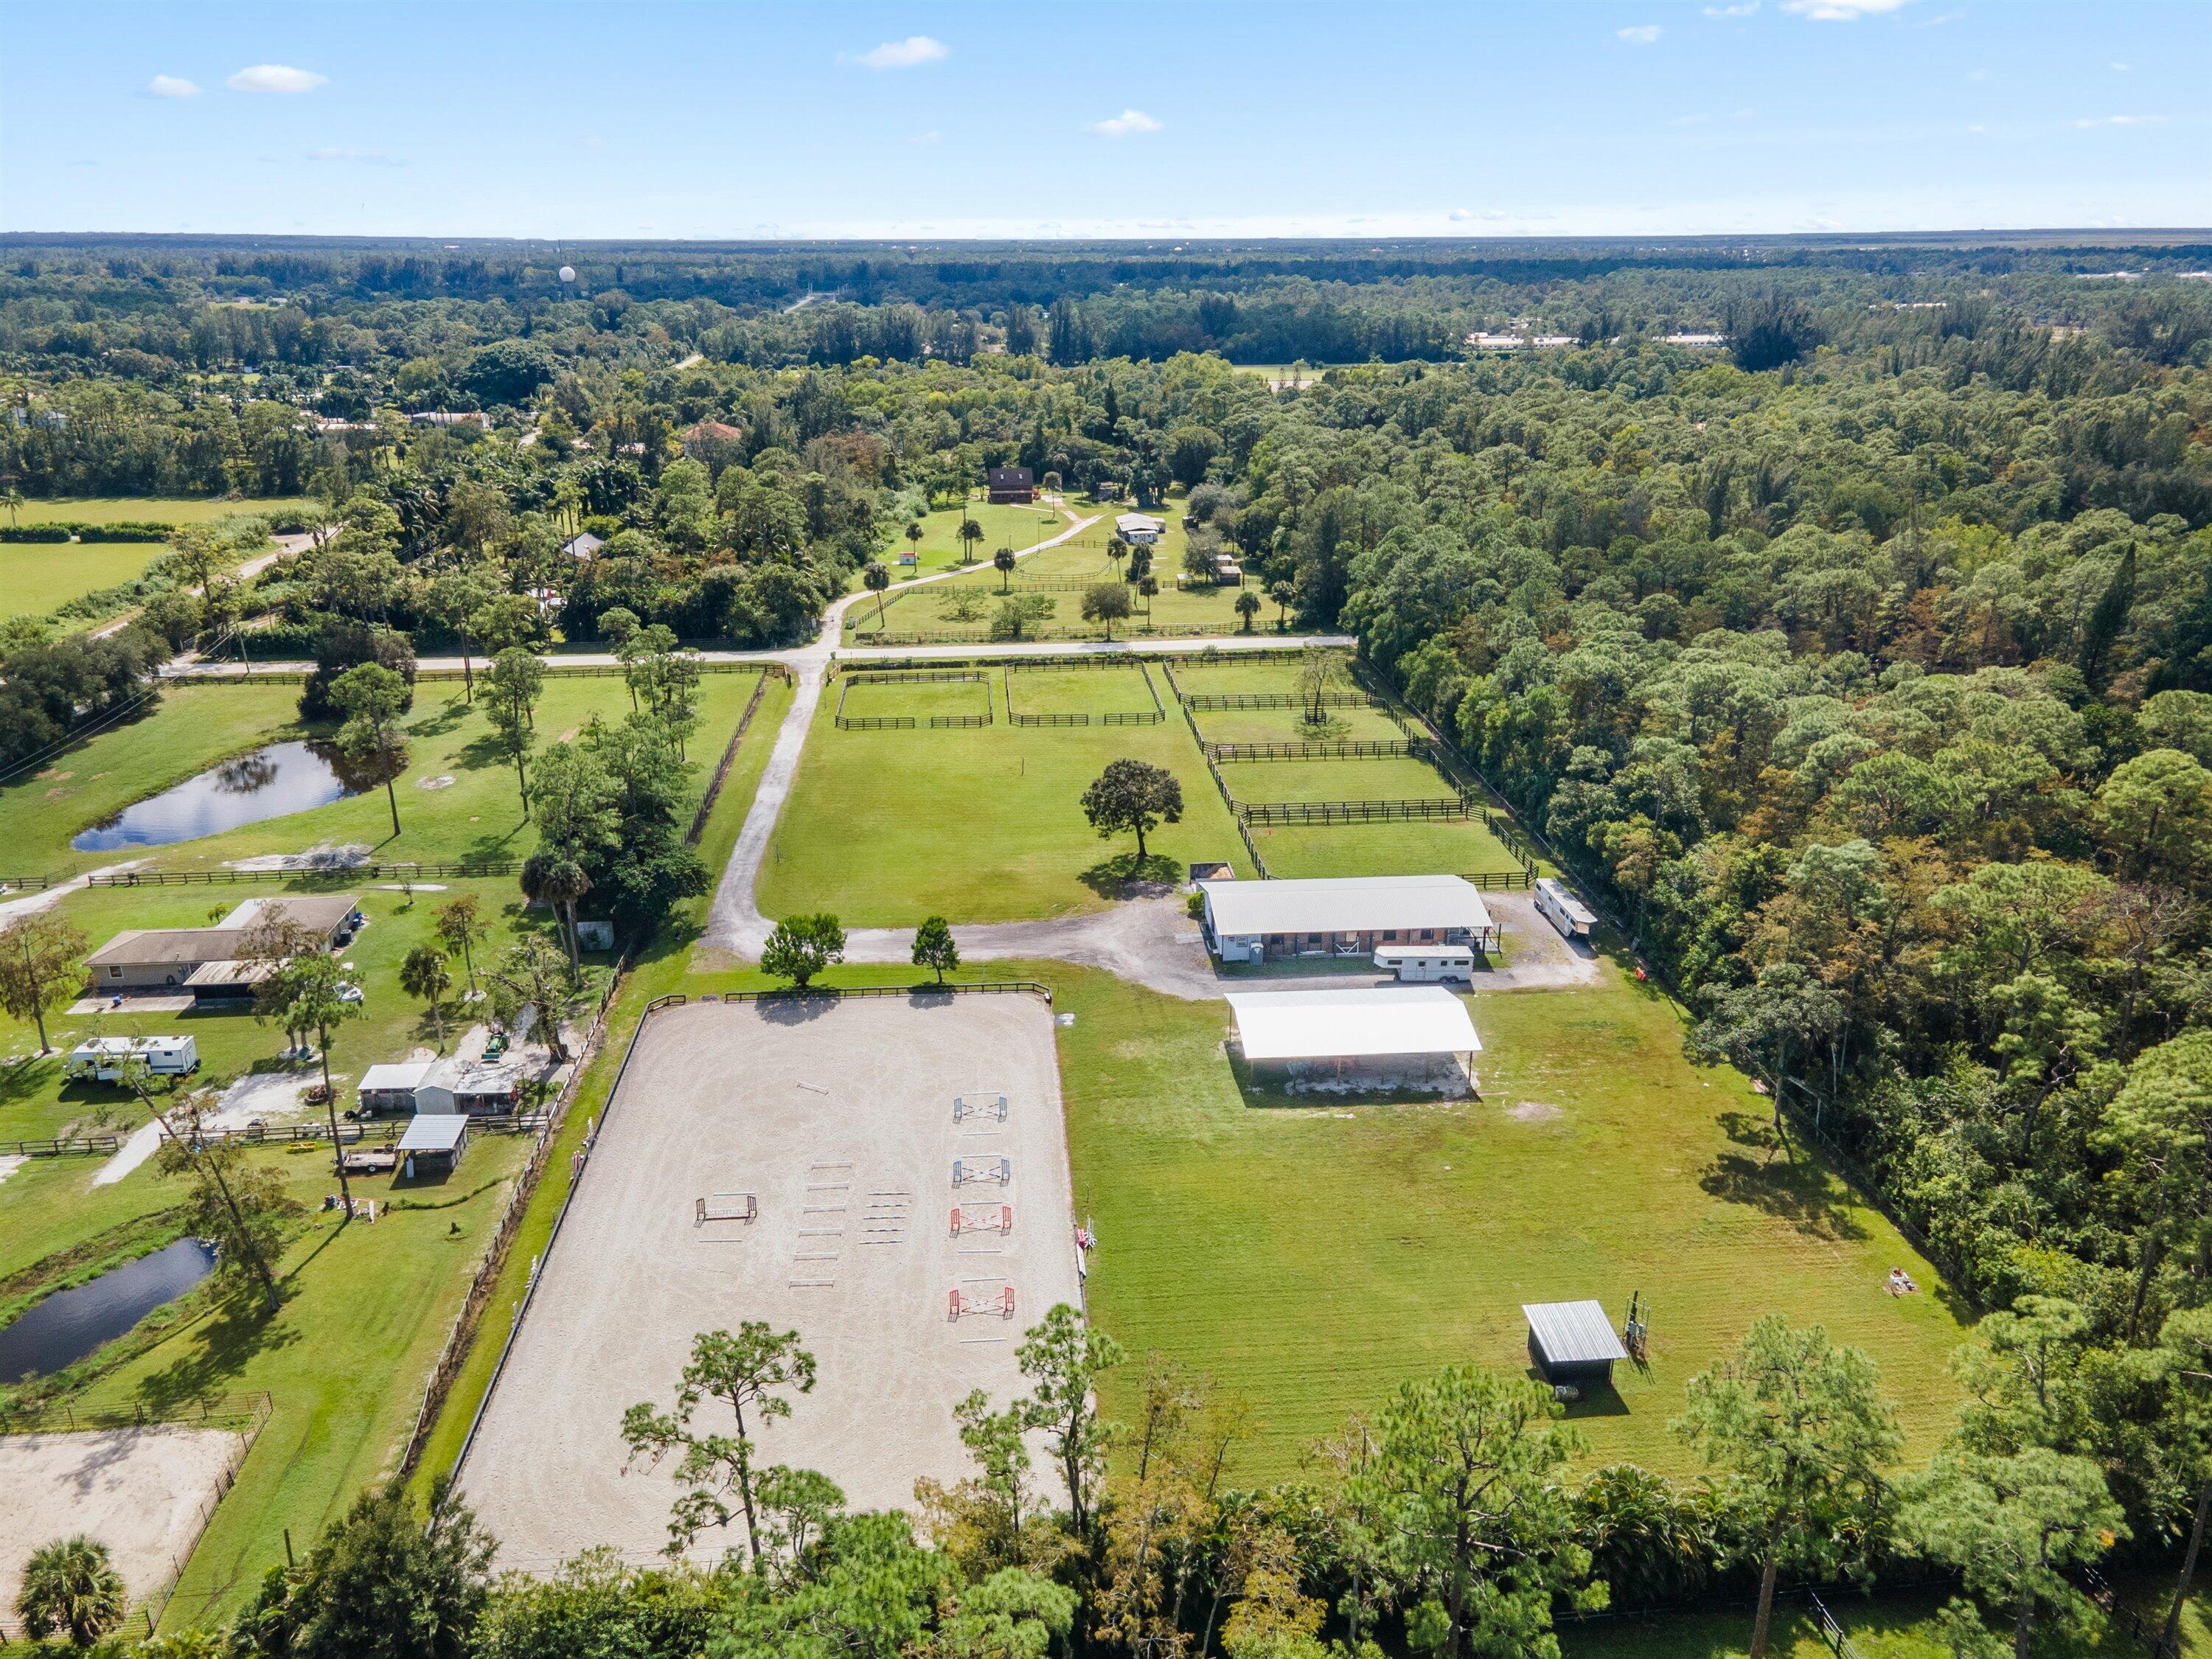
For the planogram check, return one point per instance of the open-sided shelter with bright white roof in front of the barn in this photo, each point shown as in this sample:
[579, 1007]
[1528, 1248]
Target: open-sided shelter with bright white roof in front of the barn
[1377, 1036]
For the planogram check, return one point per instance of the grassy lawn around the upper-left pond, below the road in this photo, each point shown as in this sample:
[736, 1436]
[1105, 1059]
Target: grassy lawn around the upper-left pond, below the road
[479, 815]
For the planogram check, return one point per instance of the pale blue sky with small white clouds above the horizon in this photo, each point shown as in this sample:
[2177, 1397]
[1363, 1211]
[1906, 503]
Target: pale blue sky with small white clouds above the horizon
[1089, 121]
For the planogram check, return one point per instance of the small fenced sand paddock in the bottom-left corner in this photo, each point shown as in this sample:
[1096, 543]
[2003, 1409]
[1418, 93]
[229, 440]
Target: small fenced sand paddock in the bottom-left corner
[140, 1492]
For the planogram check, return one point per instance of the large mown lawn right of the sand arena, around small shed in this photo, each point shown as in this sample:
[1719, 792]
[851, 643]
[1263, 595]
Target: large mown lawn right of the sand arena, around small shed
[1317, 1258]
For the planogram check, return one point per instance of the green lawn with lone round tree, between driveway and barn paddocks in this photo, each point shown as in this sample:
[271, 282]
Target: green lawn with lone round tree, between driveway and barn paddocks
[981, 826]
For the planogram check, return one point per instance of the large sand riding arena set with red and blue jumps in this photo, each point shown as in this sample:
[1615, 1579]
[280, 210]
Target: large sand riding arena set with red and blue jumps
[839, 1120]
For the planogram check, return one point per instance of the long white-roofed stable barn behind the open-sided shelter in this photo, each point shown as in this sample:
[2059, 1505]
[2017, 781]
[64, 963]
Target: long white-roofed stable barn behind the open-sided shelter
[1253, 921]
